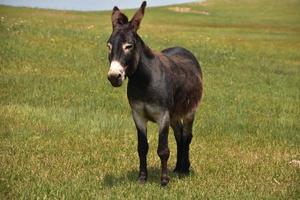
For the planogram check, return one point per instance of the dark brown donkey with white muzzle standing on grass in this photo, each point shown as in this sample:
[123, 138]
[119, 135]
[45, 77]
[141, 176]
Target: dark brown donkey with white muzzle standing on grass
[164, 88]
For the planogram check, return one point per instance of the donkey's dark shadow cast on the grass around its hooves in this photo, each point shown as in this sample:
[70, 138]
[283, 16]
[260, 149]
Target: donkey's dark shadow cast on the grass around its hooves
[111, 180]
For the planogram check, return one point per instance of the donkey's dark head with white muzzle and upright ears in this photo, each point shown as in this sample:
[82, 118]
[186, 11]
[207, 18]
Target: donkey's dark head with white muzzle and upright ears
[123, 45]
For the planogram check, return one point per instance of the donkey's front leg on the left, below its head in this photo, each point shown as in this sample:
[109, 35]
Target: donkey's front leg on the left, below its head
[141, 126]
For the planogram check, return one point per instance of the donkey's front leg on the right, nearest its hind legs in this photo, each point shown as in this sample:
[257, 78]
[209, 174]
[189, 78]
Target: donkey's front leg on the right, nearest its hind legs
[163, 149]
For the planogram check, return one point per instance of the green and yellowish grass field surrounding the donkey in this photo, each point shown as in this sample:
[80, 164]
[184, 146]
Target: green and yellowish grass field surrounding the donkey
[65, 133]
